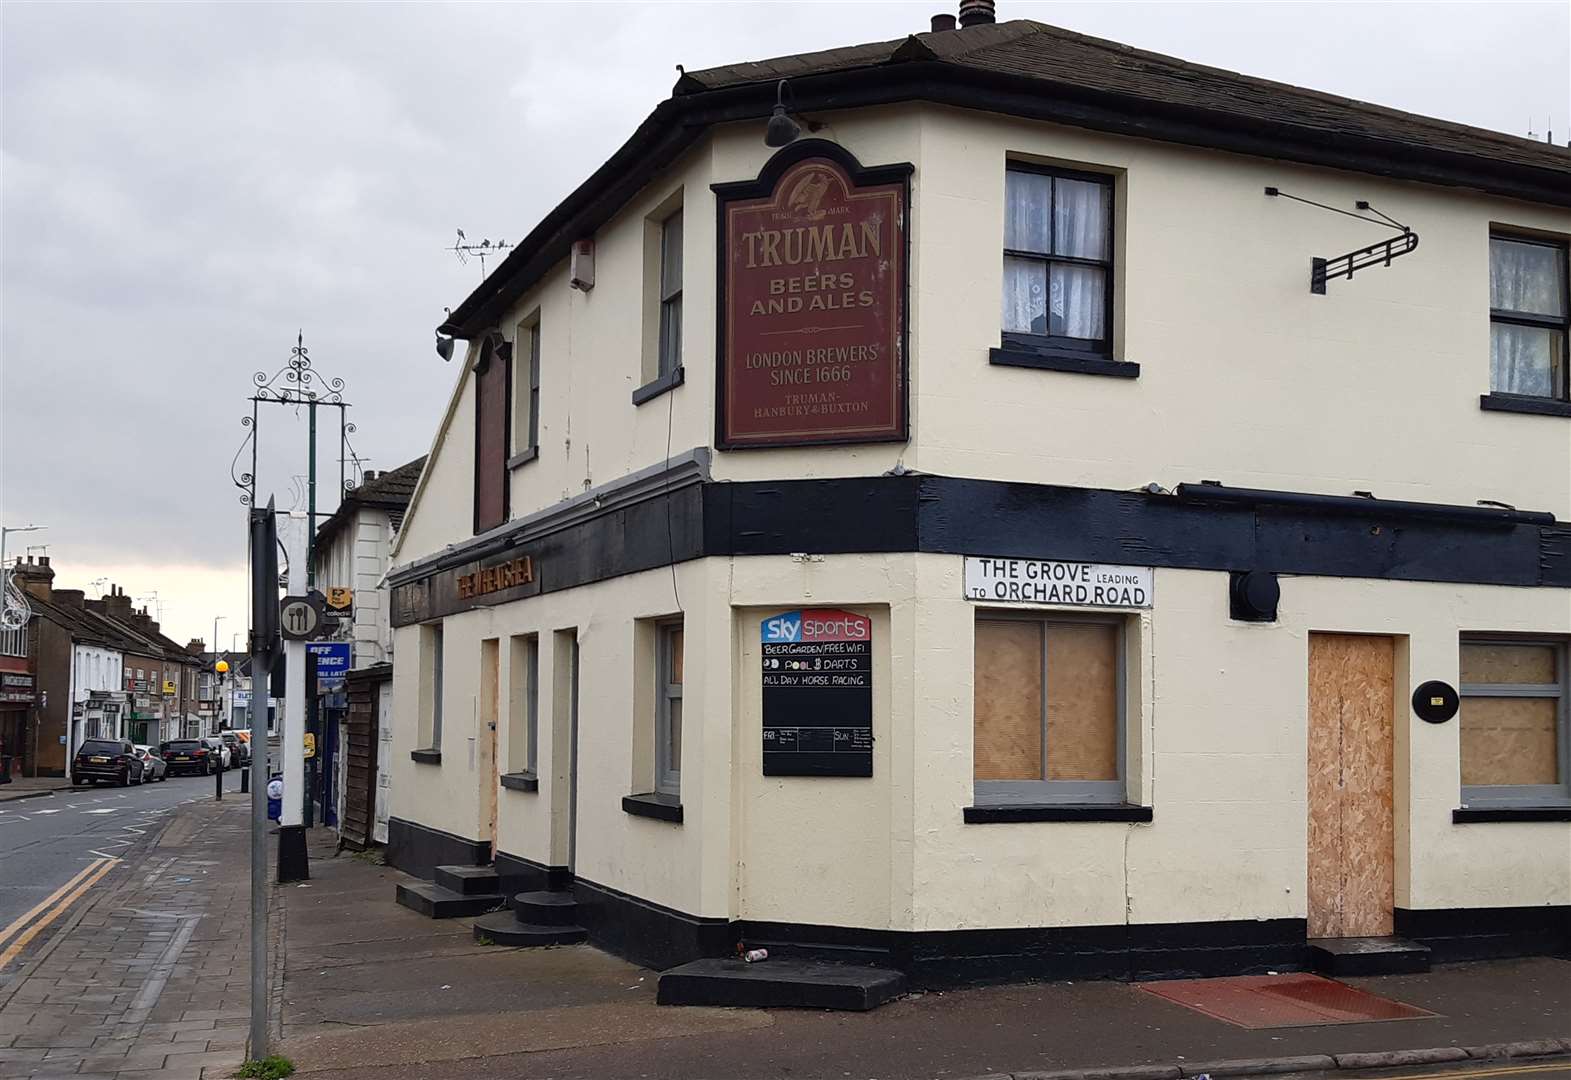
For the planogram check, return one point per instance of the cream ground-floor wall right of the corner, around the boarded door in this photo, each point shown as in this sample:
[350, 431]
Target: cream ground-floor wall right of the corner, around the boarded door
[1223, 711]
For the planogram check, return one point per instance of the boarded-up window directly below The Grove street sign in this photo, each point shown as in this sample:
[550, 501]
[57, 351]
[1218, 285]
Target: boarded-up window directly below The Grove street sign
[1049, 711]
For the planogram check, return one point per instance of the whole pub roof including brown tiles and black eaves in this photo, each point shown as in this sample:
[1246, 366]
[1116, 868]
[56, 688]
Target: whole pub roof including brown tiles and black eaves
[1041, 73]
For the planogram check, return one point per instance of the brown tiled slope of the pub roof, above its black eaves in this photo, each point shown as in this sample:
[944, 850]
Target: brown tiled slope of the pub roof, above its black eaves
[1063, 59]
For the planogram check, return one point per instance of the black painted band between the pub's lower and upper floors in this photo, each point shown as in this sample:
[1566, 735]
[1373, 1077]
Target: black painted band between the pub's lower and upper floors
[1209, 529]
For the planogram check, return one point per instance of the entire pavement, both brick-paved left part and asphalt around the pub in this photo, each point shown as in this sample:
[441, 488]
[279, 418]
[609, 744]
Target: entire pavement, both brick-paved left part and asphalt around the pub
[147, 979]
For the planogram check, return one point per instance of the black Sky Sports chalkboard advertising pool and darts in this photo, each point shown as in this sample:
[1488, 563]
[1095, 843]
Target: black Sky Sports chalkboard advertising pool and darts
[818, 670]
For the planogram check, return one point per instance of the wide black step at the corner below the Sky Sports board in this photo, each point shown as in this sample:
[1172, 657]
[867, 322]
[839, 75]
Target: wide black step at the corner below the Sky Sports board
[775, 985]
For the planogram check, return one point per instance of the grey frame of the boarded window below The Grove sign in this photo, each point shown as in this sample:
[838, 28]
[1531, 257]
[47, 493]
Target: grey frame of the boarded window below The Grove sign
[1047, 793]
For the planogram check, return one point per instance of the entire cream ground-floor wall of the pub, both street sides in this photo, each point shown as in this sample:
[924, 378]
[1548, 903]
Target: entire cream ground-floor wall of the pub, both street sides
[1217, 735]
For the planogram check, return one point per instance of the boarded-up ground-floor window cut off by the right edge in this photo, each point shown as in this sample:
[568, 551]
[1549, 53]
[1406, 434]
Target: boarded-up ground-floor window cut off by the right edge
[1514, 721]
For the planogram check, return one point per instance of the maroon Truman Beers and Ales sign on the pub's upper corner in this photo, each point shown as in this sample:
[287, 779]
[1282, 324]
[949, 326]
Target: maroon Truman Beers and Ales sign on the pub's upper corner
[813, 282]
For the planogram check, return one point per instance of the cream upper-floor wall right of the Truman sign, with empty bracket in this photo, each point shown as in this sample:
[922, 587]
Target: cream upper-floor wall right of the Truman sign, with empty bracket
[1245, 375]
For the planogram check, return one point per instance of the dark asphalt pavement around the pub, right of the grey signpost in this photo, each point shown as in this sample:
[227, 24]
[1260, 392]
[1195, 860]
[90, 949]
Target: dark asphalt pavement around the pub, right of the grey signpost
[375, 988]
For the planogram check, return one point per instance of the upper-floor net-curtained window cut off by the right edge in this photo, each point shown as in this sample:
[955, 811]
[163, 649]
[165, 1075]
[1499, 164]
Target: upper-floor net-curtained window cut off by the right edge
[1529, 318]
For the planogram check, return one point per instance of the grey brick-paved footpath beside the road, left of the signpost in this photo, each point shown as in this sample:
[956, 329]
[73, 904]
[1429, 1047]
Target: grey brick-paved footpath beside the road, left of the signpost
[150, 975]
